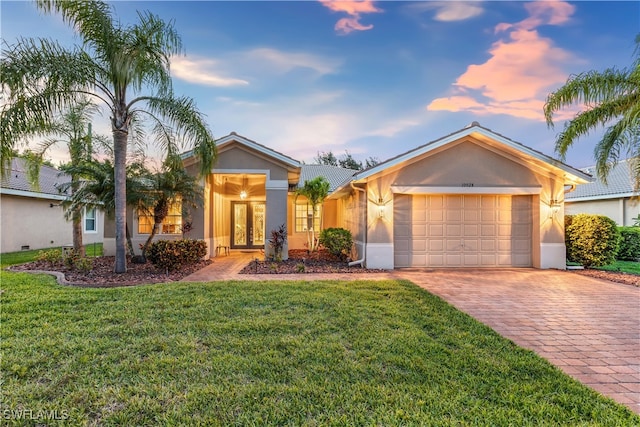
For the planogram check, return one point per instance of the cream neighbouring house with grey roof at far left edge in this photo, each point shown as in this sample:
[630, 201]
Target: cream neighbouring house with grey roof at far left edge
[33, 218]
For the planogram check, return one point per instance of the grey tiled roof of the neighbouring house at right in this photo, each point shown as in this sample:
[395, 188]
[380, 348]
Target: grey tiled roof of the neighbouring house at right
[619, 184]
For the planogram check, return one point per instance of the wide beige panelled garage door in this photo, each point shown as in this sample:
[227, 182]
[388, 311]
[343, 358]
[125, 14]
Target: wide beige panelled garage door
[462, 231]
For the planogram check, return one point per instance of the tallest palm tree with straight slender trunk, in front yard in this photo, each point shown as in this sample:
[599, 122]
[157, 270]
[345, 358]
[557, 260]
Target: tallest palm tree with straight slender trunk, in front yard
[126, 68]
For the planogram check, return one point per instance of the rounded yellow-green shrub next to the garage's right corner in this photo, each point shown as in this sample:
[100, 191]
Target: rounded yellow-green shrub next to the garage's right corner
[592, 240]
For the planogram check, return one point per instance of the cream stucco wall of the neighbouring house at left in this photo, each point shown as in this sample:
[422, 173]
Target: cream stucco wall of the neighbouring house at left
[32, 222]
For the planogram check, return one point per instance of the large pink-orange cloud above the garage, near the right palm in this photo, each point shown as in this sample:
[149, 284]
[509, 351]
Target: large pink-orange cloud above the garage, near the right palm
[521, 71]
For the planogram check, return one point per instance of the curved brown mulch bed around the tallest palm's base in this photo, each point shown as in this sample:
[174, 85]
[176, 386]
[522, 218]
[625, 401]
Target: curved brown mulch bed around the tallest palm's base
[102, 275]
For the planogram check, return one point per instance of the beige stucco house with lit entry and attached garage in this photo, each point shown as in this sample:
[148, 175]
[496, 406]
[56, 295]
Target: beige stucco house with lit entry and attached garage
[473, 198]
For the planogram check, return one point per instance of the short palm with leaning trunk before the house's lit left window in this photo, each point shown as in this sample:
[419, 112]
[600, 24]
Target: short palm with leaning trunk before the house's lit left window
[169, 186]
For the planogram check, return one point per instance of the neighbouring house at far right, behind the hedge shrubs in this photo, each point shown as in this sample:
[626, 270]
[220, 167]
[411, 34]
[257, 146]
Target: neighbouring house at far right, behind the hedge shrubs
[615, 199]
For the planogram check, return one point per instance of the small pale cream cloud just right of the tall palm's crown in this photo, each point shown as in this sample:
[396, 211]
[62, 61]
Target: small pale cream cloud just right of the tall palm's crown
[201, 71]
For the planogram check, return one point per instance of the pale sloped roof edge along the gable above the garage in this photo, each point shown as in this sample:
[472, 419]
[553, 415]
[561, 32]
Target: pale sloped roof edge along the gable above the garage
[474, 129]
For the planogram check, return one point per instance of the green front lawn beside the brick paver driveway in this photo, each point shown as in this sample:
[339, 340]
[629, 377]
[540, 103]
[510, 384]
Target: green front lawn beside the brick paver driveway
[272, 353]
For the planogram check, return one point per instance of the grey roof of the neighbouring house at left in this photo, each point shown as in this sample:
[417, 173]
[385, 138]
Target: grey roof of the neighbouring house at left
[16, 183]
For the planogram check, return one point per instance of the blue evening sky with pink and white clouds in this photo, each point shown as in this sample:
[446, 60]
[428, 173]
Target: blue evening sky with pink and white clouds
[374, 78]
